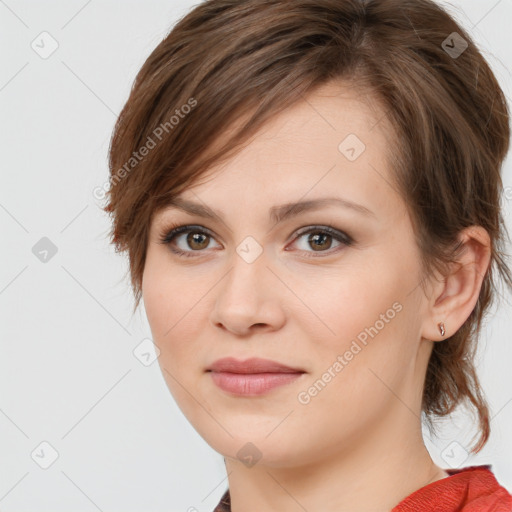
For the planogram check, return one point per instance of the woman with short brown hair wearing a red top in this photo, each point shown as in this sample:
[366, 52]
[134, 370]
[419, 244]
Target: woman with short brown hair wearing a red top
[308, 192]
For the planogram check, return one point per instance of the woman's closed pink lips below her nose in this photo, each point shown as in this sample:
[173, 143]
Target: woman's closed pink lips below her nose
[251, 377]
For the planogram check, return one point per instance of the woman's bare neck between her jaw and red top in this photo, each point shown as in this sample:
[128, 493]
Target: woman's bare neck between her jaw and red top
[373, 473]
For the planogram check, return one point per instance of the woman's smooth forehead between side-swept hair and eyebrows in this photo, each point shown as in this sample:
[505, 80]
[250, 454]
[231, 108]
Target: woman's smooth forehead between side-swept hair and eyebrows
[336, 141]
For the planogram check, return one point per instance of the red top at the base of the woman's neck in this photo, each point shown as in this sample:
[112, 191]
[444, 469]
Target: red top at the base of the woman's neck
[470, 489]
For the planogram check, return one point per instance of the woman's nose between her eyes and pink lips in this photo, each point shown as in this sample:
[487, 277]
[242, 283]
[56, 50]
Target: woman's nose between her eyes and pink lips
[249, 298]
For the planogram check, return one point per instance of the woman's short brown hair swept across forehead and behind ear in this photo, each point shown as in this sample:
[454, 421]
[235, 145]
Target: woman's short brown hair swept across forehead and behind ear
[227, 59]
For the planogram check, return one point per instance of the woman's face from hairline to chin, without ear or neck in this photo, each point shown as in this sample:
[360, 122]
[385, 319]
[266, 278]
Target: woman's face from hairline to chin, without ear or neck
[347, 312]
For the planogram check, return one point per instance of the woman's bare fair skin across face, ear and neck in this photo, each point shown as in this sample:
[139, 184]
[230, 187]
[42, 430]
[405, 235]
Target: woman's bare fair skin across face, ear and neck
[357, 444]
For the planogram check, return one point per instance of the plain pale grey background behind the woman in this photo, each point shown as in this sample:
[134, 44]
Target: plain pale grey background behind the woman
[68, 372]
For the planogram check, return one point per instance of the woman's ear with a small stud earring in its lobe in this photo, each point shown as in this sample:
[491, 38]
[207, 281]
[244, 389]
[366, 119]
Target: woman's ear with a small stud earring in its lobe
[455, 295]
